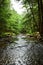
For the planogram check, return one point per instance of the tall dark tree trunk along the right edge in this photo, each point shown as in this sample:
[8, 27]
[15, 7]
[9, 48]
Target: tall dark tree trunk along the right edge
[40, 7]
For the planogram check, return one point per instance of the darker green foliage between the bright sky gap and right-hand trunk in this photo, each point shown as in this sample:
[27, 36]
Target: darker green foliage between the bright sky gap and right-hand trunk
[30, 20]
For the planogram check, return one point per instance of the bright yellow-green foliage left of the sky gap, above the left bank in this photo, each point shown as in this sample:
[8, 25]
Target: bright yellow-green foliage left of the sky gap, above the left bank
[9, 19]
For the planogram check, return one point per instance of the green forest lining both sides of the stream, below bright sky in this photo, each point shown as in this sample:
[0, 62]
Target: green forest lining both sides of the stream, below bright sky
[29, 22]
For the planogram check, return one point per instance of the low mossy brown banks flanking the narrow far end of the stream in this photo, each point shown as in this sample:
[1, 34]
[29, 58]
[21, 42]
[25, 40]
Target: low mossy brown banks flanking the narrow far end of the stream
[10, 37]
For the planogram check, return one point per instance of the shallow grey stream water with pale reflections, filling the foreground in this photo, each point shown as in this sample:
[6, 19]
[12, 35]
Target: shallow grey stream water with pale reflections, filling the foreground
[21, 52]
